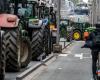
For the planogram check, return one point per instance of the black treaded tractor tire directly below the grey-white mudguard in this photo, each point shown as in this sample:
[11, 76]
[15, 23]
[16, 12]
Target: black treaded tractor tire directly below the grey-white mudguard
[37, 44]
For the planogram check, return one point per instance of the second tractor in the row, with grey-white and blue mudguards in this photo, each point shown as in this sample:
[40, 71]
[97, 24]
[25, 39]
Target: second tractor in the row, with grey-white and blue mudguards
[41, 40]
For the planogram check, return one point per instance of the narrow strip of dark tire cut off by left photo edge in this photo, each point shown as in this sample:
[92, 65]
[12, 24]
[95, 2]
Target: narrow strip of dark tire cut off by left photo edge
[2, 57]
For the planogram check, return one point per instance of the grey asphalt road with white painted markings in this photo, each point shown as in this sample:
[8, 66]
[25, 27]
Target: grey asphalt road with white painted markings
[74, 64]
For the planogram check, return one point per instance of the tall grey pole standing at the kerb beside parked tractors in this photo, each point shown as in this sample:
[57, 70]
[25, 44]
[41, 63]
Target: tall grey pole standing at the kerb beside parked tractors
[58, 20]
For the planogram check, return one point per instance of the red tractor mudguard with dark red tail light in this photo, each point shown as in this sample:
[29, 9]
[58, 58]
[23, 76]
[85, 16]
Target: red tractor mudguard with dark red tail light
[8, 20]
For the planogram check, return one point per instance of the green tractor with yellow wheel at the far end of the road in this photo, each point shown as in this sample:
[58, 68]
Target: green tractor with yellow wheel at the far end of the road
[78, 30]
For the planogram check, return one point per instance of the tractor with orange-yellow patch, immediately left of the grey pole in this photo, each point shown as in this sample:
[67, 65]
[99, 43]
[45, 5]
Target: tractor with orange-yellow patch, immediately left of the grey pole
[50, 15]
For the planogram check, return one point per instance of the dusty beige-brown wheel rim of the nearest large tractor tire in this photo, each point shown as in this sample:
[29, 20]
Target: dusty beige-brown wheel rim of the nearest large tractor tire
[24, 52]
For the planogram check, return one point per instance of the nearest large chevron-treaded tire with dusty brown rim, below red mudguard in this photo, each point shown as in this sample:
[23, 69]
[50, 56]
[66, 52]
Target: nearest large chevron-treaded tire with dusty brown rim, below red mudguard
[18, 52]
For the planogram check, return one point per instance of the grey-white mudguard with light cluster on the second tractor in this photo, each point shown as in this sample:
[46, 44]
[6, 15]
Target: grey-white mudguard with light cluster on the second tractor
[35, 23]
